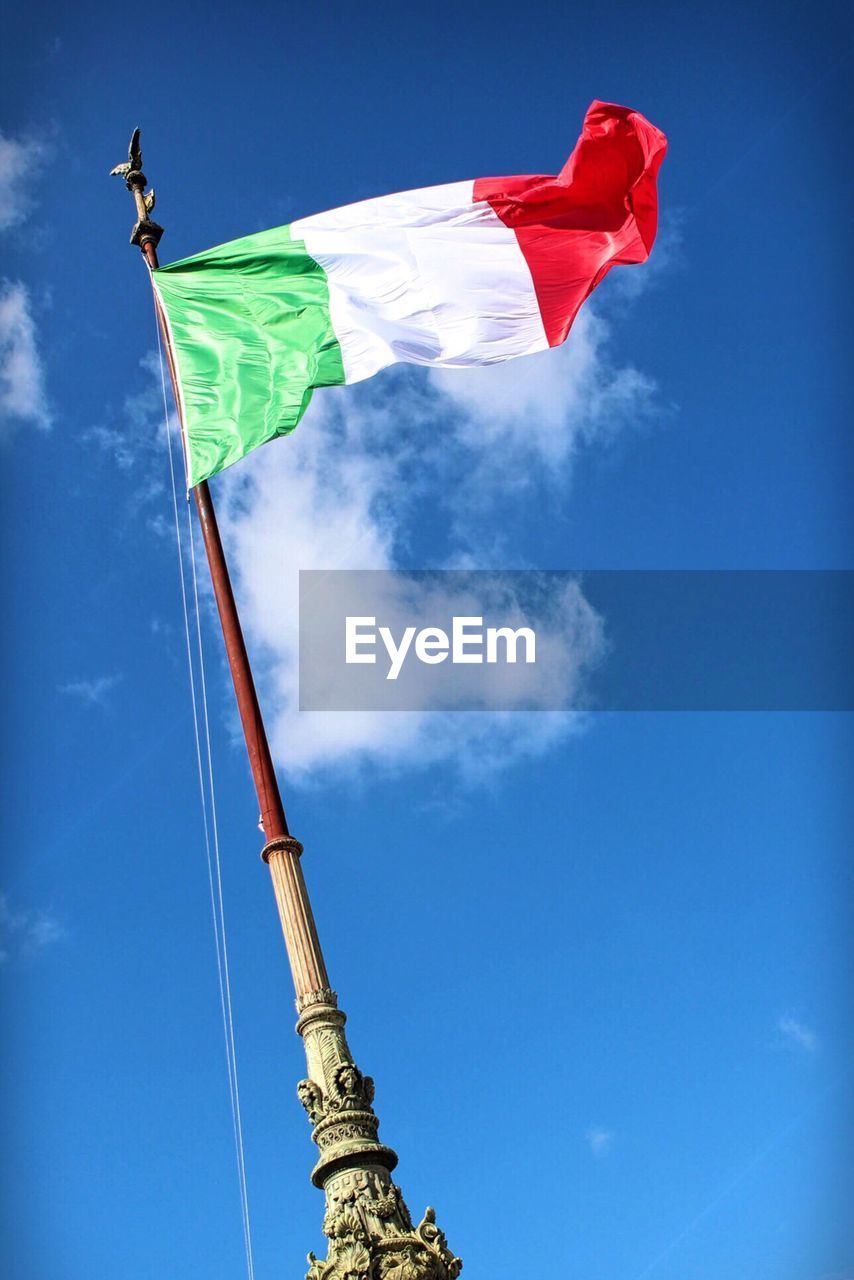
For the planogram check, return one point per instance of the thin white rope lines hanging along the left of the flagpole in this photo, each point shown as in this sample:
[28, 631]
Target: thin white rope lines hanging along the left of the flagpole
[209, 825]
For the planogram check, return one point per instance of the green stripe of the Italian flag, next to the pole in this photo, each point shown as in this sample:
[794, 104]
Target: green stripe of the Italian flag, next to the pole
[252, 333]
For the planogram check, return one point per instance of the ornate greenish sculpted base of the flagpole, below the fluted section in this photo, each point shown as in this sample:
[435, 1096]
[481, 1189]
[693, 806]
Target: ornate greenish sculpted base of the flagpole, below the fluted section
[367, 1223]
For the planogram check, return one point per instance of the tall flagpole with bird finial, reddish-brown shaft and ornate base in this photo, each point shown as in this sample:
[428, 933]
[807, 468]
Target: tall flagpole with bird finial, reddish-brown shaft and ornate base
[367, 1222]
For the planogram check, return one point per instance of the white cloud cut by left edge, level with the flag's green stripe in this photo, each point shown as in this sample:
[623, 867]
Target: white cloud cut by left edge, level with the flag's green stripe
[22, 381]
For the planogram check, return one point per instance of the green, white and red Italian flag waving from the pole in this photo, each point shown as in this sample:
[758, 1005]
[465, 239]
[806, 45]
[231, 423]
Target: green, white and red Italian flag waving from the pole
[469, 273]
